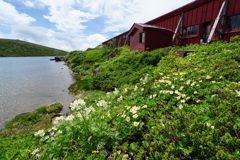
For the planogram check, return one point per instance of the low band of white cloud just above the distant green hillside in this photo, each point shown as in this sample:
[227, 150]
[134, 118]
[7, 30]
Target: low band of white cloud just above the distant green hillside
[61, 40]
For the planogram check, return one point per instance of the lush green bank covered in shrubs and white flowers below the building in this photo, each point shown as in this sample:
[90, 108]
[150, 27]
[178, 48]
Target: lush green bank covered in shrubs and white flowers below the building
[157, 106]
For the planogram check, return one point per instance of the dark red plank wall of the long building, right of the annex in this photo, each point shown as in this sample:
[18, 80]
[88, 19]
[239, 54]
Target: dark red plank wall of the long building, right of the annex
[206, 12]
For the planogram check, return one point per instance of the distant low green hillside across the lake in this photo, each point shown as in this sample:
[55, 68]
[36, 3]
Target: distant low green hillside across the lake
[17, 48]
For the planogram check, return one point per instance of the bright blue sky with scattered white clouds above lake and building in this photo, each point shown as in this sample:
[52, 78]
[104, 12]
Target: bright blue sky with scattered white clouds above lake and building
[76, 24]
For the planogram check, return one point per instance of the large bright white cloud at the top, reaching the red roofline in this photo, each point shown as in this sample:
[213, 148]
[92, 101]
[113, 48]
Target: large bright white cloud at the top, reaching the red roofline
[119, 14]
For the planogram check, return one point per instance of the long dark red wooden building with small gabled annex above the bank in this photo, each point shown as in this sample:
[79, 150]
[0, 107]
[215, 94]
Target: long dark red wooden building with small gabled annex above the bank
[198, 22]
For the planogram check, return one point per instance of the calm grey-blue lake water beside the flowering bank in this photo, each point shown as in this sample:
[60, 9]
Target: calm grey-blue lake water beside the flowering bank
[27, 83]
